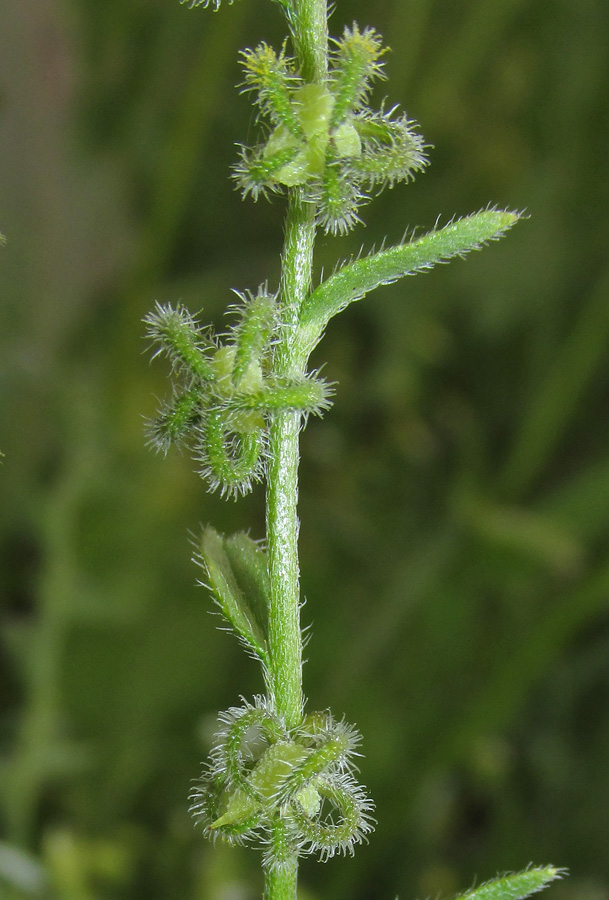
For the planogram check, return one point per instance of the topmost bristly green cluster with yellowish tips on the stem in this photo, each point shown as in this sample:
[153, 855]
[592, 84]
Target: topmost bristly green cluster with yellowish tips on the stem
[324, 137]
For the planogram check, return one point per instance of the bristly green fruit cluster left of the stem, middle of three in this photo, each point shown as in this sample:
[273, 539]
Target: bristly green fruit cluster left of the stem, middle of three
[224, 392]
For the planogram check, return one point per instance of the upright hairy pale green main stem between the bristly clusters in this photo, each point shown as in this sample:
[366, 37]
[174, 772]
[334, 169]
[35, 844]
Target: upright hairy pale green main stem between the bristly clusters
[309, 23]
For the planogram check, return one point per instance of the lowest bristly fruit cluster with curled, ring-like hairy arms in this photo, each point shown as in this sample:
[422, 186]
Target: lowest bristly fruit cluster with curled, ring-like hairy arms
[293, 790]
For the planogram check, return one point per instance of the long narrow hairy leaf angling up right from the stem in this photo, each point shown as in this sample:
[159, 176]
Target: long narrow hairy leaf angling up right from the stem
[354, 280]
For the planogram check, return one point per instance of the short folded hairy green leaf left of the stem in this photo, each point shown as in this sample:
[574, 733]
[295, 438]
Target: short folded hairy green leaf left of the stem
[233, 602]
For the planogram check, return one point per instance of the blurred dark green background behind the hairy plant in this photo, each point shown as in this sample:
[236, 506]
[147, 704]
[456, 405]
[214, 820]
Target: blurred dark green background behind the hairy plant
[454, 503]
